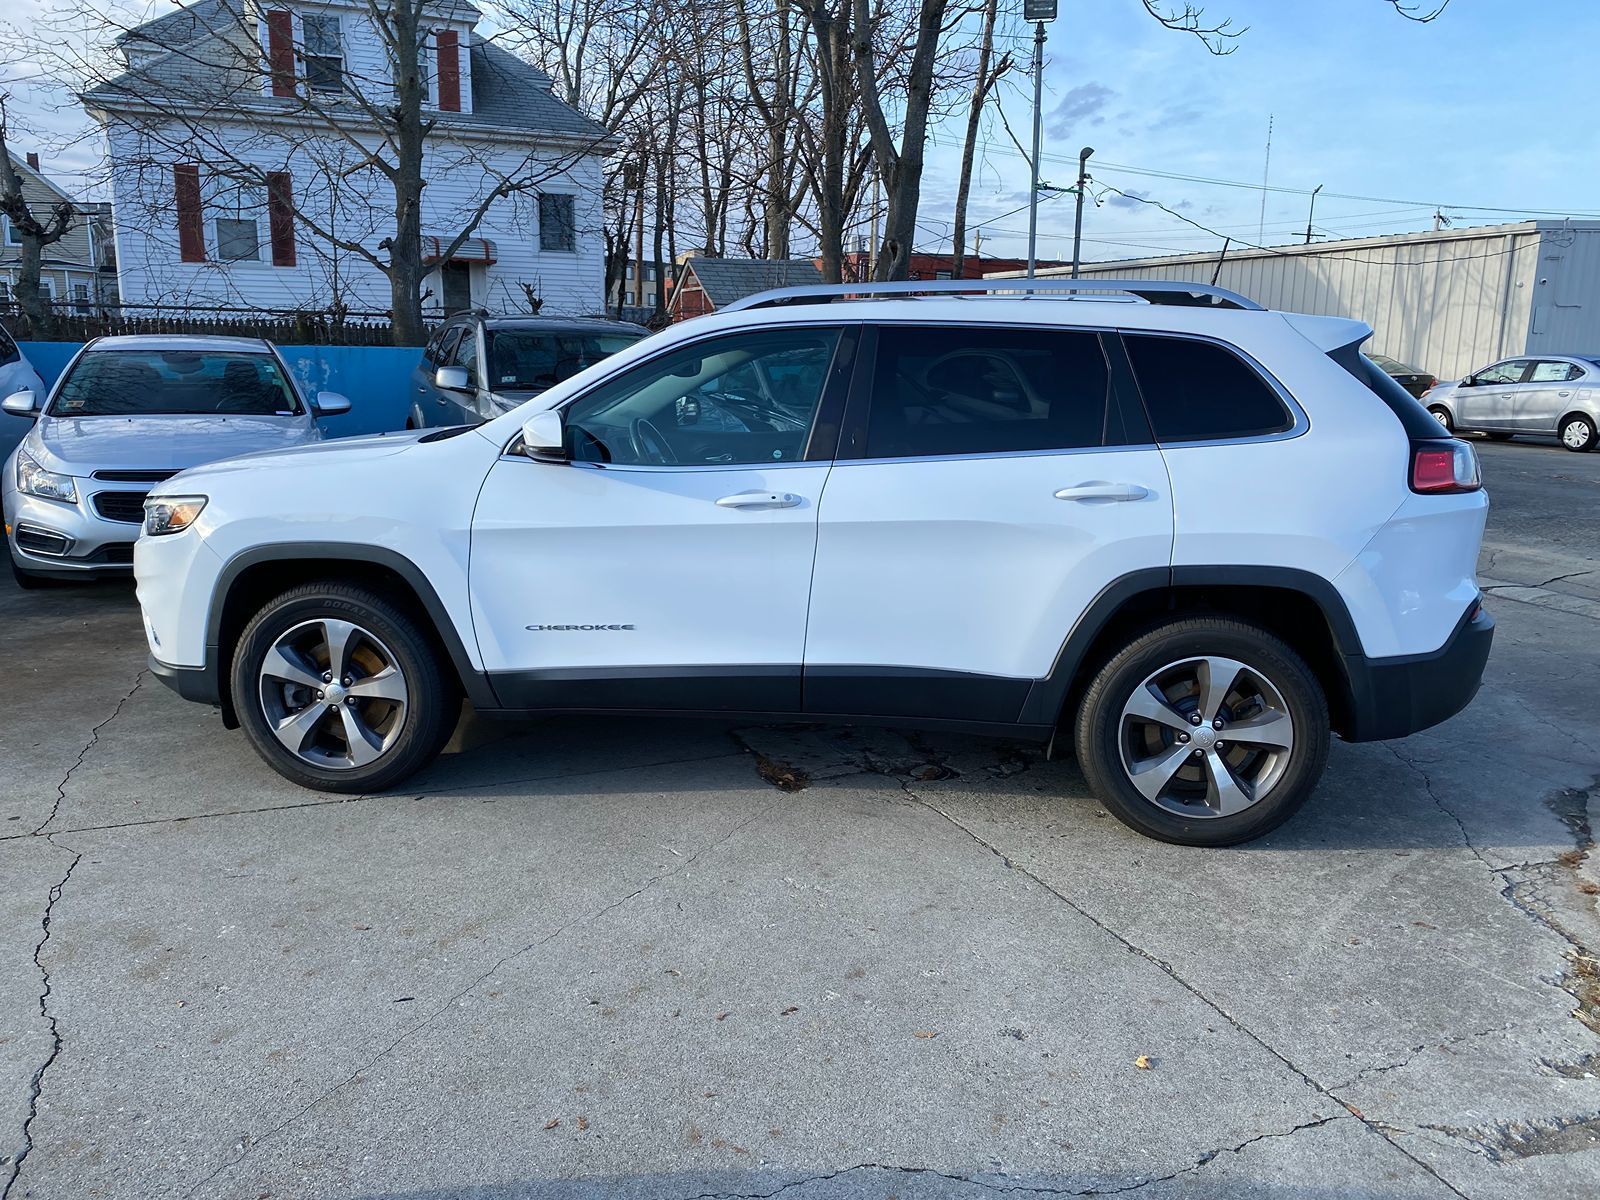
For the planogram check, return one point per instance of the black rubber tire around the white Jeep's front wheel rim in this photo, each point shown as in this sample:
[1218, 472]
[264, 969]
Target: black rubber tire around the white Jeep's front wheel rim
[433, 705]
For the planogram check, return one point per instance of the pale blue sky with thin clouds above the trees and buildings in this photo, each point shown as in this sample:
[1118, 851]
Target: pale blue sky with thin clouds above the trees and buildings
[1484, 114]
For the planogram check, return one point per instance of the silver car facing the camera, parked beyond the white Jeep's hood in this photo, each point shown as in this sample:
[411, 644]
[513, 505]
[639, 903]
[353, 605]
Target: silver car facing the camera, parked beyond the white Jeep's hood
[127, 414]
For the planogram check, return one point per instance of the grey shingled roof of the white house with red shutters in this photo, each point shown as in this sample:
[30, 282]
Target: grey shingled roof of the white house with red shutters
[506, 90]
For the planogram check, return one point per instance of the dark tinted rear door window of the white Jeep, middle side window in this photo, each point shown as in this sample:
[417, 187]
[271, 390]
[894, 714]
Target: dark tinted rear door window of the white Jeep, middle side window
[986, 391]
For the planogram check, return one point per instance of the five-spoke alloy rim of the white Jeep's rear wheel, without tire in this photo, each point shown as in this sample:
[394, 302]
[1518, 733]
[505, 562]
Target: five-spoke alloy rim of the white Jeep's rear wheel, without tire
[1206, 737]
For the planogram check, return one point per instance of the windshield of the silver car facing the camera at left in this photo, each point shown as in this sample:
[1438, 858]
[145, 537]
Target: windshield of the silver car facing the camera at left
[175, 383]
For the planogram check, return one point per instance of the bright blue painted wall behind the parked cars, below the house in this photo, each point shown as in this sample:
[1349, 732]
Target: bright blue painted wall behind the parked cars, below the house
[377, 378]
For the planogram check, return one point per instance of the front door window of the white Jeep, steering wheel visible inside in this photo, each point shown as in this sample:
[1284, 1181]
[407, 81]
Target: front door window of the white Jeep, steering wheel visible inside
[745, 399]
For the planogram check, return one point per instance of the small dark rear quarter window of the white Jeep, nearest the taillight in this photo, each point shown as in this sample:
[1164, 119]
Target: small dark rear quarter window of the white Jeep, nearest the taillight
[1199, 391]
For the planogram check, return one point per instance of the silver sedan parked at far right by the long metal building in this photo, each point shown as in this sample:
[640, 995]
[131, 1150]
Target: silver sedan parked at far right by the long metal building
[1554, 396]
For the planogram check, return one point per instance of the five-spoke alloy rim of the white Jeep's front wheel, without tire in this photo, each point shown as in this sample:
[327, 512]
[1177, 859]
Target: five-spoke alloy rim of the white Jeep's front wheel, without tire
[334, 694]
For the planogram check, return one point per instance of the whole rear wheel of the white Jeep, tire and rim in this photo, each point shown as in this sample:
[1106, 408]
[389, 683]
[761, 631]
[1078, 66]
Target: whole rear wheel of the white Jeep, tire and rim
[1204, 732]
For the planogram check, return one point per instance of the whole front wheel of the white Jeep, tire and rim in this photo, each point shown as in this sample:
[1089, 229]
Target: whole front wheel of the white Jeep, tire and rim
[340, 690]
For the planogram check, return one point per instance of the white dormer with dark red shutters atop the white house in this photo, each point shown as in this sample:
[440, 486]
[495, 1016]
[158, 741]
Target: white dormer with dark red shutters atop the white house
[329, 49]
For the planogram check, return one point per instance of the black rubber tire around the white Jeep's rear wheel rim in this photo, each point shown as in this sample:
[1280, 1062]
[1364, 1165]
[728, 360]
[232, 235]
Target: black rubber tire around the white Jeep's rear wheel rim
[1102, 734]
